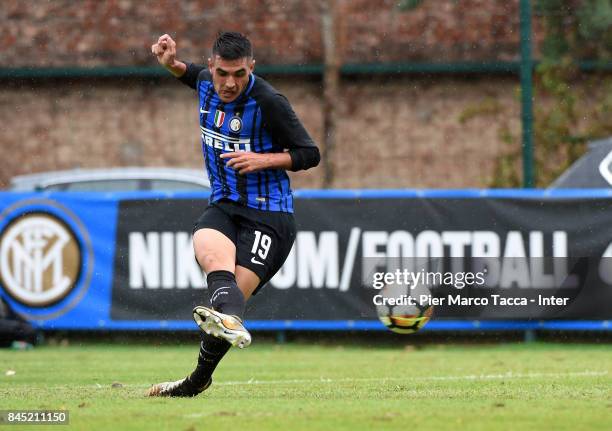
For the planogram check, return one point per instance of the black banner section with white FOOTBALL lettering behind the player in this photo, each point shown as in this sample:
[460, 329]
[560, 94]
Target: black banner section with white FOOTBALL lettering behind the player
[356, 259]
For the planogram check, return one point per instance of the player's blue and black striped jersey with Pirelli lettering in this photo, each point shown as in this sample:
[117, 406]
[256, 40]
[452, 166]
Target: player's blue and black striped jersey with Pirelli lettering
[259, 120]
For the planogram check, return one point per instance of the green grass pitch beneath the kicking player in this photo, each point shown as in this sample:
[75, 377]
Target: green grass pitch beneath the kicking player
[311, 387]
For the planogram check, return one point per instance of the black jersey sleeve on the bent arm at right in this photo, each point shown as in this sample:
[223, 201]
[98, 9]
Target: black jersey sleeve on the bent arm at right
[288, 132]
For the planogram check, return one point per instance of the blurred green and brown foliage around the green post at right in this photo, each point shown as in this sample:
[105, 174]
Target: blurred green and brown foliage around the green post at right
[571, 107]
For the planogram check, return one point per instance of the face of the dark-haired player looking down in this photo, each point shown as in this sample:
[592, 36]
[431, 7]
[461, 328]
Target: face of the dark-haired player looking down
[230, 77]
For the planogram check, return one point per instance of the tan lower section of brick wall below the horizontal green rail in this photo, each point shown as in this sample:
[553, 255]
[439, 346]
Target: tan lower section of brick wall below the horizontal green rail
[391, 133]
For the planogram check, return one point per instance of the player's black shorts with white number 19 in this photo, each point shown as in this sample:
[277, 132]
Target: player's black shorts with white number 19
[263, 239]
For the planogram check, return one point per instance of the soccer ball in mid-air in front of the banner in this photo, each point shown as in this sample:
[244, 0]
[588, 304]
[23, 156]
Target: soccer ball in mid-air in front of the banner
[404, 318]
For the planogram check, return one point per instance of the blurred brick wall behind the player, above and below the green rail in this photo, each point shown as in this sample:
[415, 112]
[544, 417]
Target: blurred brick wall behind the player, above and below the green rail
[392, 131]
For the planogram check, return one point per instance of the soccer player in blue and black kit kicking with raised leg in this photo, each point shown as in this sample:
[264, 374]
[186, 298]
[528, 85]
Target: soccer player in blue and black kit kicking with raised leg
[250, 138]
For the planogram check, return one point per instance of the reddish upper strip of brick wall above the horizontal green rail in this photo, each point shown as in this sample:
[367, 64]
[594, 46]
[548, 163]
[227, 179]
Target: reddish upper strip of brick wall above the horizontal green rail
[120, 32]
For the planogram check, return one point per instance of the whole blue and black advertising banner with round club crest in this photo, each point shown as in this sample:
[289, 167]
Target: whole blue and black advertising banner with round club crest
[126, 261]
